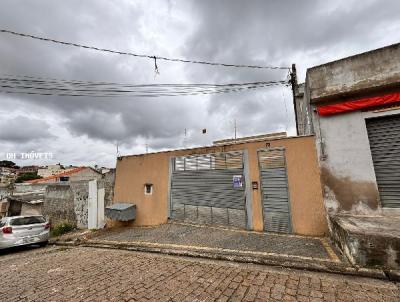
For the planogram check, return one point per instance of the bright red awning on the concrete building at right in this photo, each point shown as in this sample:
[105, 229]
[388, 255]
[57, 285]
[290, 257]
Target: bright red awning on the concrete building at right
[359, 104]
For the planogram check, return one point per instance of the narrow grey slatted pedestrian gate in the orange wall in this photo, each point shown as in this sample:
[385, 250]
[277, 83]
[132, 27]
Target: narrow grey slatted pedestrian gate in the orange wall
[275, 195]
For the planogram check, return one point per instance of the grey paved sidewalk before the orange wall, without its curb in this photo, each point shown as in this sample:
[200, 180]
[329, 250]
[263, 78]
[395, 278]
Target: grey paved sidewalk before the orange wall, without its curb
[196, 236]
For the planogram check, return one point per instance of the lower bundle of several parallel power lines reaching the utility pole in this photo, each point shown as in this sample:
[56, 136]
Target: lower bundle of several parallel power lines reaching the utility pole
[43, 86]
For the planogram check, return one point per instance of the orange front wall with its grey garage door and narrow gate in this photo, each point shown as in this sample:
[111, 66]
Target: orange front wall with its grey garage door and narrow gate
[269, 183]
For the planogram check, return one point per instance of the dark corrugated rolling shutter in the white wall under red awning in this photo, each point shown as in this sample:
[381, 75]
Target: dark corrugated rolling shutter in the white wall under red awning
[384, 139]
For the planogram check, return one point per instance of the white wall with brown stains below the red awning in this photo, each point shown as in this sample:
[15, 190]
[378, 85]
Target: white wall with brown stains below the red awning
[347, 170]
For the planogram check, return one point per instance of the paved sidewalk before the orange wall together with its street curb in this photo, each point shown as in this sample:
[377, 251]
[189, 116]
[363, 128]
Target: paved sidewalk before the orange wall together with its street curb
[289, 251]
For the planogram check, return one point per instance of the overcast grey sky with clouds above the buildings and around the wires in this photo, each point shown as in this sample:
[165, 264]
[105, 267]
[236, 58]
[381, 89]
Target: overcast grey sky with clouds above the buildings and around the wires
[85, 131]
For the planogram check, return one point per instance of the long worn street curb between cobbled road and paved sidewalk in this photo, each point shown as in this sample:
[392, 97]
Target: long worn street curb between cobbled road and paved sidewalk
[284, 262]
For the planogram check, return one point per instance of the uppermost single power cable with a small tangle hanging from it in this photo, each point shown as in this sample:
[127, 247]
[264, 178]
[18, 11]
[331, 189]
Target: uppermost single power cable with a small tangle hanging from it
[153, 57]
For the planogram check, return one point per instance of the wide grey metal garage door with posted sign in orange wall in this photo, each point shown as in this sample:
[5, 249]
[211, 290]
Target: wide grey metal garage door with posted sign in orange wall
[209, 189]
